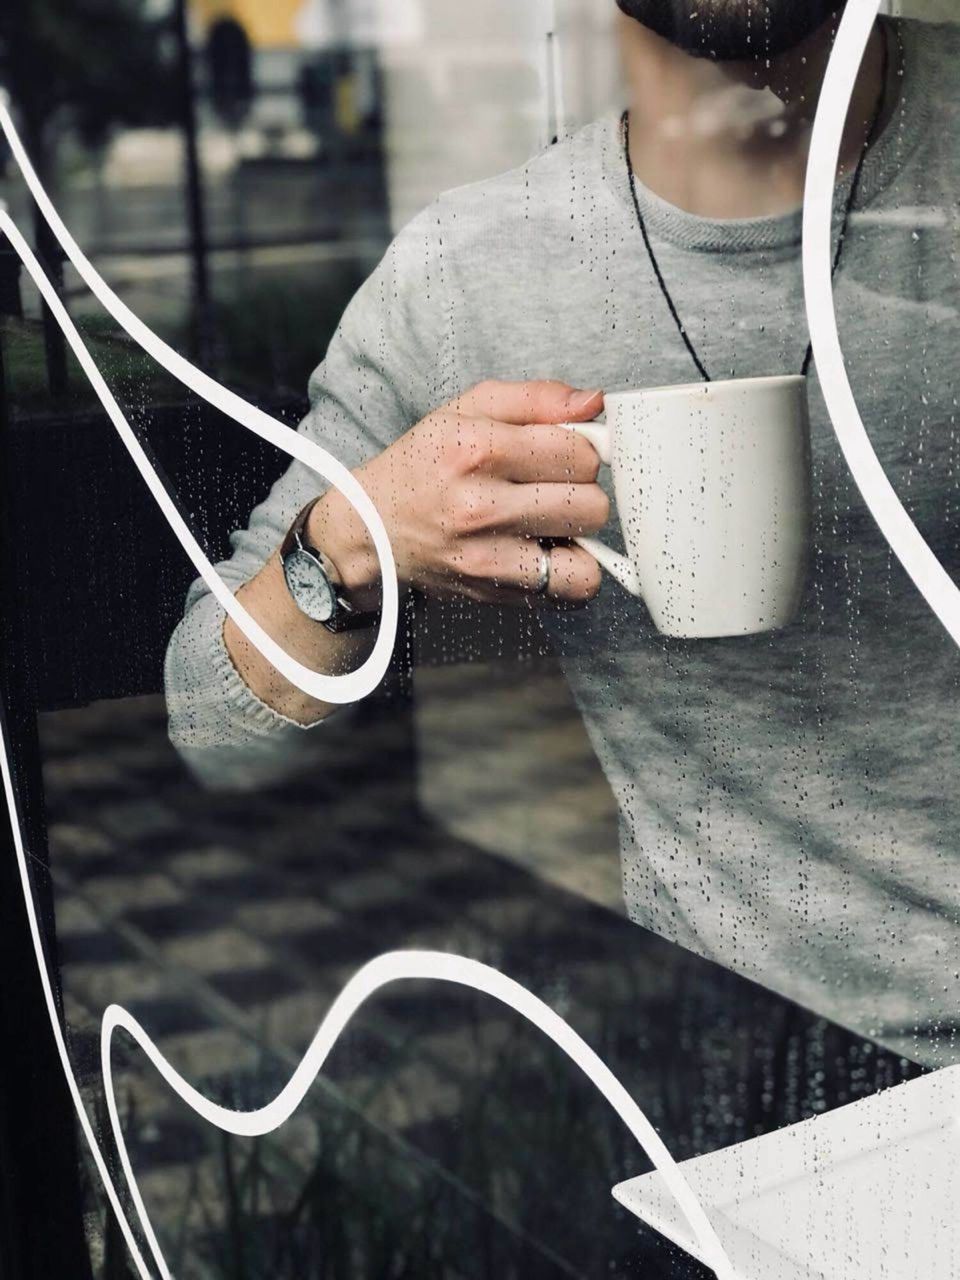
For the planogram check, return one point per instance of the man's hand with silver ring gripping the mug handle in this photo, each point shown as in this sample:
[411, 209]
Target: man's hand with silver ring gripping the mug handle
[469, 492]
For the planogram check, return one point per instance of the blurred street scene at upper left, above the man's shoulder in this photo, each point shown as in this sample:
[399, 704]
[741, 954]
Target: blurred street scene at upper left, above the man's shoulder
[240, 168]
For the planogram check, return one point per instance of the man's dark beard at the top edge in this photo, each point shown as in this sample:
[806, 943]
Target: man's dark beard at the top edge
[733, 30]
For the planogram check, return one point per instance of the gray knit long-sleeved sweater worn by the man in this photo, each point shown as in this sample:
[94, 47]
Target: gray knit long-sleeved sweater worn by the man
[789, 802]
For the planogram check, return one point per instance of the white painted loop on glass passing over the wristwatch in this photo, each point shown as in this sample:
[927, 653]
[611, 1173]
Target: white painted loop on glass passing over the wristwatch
[349, 688]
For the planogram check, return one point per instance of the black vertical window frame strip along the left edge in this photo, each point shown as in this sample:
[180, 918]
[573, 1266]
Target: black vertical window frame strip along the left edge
[42, 1227]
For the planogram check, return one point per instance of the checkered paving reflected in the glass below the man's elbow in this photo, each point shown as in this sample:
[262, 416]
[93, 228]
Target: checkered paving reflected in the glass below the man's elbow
[227, 925]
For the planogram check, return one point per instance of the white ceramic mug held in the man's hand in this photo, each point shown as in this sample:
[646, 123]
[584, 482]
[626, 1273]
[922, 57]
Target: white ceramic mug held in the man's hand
[714, 490]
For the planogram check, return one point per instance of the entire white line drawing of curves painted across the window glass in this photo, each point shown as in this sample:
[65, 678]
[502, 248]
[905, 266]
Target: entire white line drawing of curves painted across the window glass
[931, 579]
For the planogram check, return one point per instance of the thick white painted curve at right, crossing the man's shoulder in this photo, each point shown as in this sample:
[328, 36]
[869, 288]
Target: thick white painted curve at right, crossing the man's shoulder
[907, 542]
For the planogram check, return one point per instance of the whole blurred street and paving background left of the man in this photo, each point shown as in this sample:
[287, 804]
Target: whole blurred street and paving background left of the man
[235, 170]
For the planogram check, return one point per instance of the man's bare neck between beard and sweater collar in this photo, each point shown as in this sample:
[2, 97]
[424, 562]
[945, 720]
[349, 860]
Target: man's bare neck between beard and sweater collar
[730, 140]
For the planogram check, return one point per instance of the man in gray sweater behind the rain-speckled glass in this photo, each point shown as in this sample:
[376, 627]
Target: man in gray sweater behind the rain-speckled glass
[785, 804]
